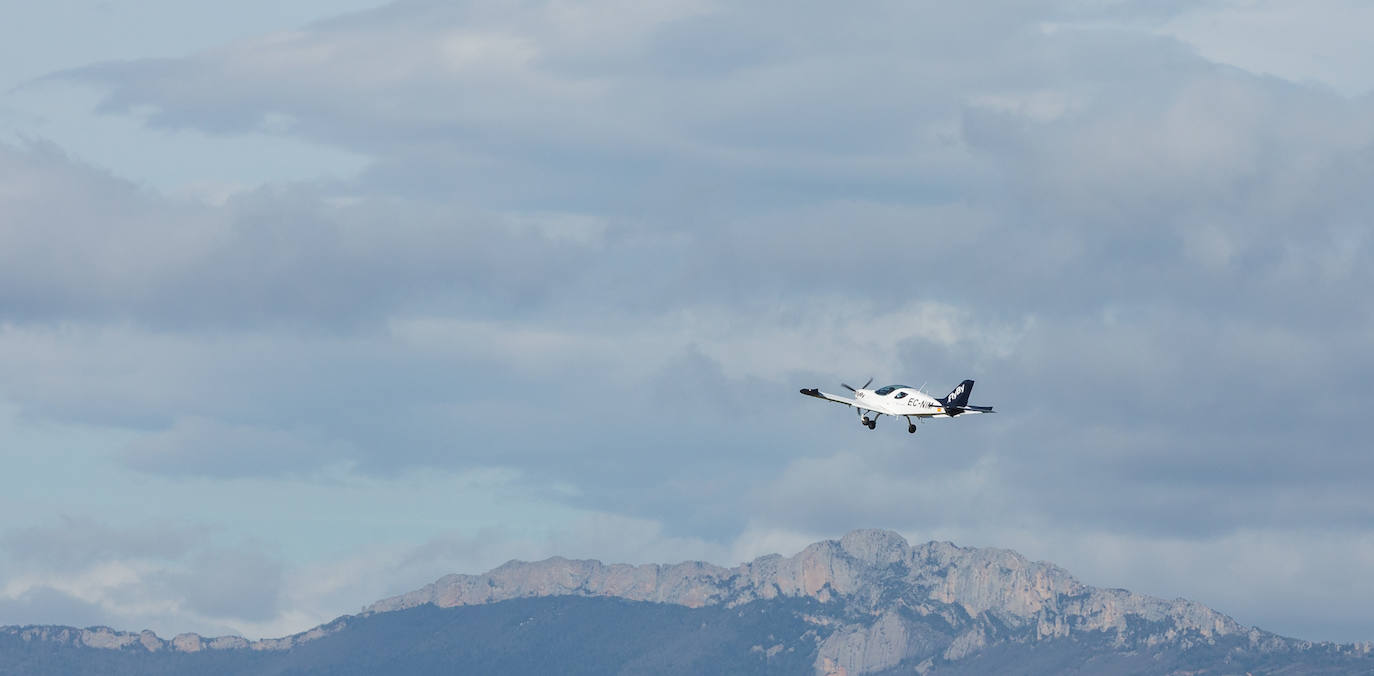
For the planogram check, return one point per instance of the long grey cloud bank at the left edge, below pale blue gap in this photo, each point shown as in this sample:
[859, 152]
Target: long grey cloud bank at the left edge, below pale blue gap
[274, 258]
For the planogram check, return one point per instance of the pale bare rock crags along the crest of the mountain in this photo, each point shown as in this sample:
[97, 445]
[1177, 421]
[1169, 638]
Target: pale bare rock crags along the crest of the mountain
[869, 570]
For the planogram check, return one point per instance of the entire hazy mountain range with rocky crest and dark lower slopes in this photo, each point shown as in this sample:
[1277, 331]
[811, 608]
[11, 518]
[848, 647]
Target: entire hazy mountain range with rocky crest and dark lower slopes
[866, 604]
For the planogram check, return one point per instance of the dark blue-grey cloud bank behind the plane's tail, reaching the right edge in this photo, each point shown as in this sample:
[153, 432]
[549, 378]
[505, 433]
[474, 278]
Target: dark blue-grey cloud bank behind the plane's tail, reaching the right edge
[1155, 422]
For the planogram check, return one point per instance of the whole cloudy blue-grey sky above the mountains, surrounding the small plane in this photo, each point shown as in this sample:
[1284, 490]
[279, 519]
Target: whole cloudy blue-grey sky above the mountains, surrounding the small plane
[307, 304]
